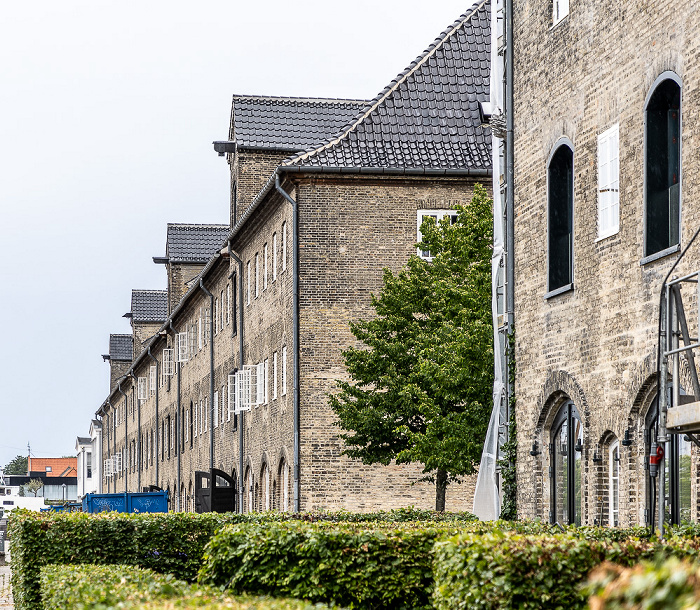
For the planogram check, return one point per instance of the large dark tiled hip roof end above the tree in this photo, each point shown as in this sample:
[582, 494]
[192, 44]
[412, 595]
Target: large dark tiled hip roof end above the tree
[428, 117]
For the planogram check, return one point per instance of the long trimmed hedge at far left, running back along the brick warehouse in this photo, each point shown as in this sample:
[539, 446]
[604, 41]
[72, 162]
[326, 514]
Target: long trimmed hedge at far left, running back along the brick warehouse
[167, 543]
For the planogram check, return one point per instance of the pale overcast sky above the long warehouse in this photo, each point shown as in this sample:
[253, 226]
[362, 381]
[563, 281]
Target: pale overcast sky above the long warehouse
[108, 111]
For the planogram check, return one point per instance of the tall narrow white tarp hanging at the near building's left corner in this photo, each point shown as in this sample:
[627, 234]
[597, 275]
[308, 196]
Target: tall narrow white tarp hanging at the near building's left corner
[487, 502]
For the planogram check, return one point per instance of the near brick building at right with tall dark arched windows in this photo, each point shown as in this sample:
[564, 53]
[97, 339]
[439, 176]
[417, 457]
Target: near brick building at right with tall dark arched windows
[605, 197]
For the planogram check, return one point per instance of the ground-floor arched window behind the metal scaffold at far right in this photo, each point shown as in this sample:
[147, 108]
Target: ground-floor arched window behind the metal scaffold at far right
[678, 470]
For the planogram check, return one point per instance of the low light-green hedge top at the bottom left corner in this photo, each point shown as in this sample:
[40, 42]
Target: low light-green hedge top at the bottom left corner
[91, 586]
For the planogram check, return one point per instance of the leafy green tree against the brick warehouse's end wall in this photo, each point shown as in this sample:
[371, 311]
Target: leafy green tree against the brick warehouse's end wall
[421, 385]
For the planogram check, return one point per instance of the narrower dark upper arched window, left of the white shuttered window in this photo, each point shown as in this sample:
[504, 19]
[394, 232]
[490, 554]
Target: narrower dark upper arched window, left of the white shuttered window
[560, 193]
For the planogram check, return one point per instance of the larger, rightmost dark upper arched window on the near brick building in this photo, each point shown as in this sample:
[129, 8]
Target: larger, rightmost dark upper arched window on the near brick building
[663, 166]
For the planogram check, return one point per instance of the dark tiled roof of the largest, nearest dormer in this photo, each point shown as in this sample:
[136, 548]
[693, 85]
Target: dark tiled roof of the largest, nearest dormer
[289, 123]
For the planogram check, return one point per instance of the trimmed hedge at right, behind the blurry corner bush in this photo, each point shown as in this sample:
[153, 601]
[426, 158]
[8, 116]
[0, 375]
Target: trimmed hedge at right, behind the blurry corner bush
[512, 570]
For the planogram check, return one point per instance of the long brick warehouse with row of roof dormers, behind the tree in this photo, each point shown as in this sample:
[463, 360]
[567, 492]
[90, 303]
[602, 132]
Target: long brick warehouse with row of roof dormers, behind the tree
[325, 194]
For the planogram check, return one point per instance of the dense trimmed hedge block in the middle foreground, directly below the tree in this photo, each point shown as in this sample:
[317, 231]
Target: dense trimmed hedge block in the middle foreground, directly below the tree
[350, 565]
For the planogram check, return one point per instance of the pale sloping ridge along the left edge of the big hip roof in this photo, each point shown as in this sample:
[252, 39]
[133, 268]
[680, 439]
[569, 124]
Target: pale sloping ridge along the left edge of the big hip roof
[383, 95]
